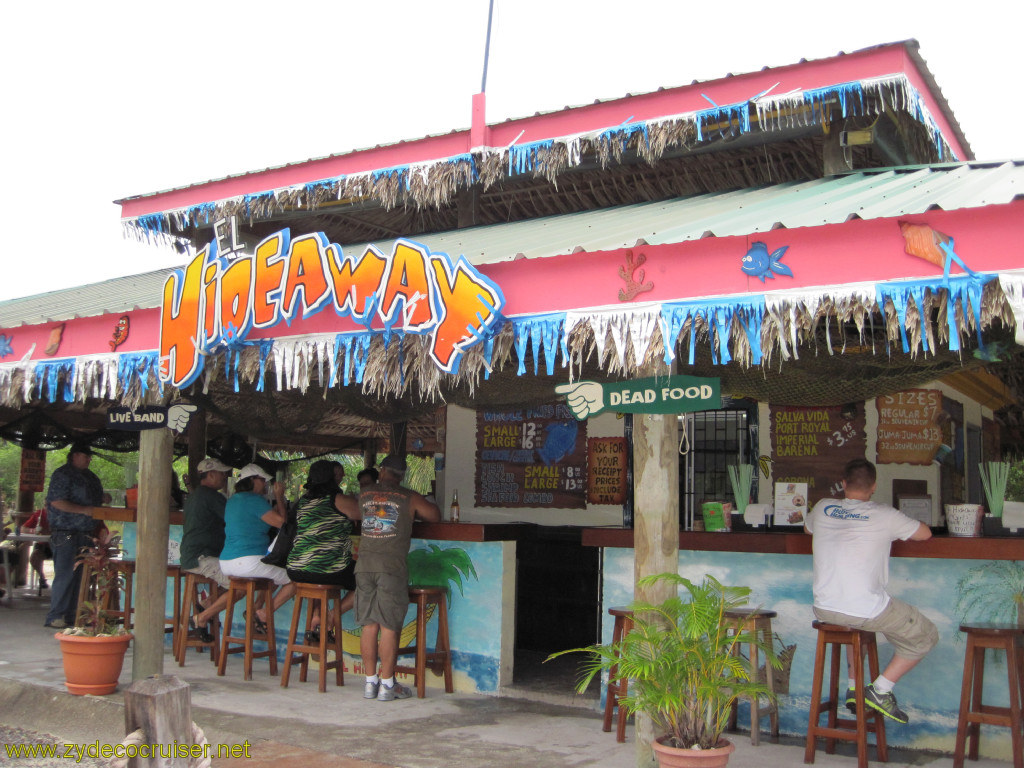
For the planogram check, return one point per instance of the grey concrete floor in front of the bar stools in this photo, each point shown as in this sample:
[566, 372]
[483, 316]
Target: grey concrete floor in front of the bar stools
[301, 727]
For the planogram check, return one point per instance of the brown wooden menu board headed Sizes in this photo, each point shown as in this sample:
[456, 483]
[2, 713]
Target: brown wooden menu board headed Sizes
[909, 426]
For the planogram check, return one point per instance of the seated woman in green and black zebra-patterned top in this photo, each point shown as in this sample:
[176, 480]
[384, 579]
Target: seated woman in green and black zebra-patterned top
[323, 549]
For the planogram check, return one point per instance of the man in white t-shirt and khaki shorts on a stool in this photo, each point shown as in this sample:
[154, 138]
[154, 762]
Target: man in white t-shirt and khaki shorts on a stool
[852, 539]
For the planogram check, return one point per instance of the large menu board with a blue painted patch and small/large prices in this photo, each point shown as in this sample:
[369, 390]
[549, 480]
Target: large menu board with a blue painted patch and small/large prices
[534, 457]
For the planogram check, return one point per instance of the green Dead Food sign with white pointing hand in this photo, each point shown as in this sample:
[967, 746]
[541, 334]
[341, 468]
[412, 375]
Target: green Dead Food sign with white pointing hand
[665, 395]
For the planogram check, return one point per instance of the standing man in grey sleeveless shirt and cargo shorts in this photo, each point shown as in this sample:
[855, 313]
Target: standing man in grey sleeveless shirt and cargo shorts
[381, 575]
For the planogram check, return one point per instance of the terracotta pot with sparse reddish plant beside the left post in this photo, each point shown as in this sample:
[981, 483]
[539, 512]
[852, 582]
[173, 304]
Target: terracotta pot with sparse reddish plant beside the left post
[94, 650]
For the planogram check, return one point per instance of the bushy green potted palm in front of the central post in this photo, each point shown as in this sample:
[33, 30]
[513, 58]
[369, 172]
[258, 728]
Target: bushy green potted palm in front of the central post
[682, 667]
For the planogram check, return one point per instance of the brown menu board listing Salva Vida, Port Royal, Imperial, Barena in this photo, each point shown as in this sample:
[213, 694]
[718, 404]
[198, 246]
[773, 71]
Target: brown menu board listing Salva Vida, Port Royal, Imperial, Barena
[813, 446]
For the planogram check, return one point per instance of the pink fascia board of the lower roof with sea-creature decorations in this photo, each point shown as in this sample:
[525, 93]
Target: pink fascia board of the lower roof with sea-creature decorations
[988, 239]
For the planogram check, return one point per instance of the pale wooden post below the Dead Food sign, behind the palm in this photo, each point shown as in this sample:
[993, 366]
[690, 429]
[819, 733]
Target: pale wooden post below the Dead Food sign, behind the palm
[656, 523]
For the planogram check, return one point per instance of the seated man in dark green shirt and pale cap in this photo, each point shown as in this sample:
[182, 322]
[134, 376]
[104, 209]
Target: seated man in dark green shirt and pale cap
[203, 537]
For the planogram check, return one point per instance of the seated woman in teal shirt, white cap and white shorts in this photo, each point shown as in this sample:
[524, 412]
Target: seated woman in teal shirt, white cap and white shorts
[248, 520]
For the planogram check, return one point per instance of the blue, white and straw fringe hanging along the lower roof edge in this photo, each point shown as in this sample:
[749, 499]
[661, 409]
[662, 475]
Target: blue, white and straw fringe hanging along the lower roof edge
[623, 343]
